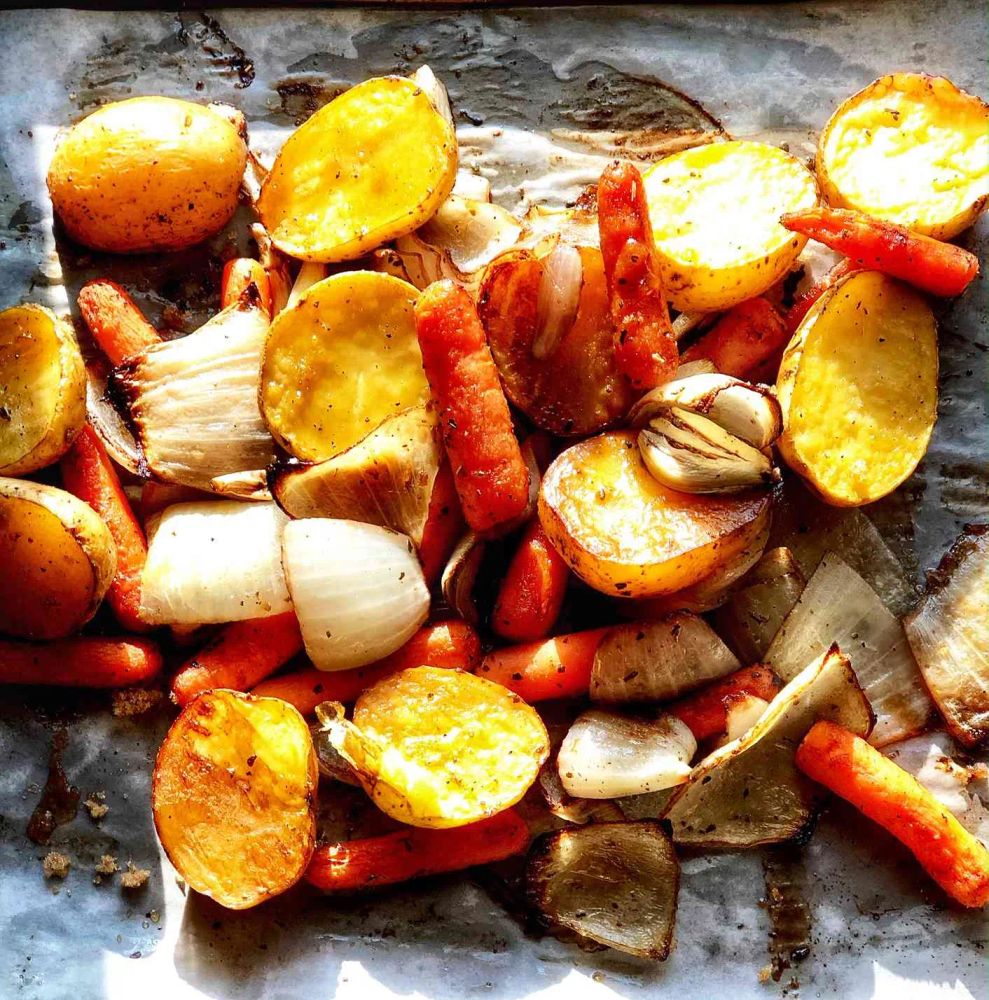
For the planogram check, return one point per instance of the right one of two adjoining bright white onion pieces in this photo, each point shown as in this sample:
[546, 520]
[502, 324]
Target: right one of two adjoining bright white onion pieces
[357, 588]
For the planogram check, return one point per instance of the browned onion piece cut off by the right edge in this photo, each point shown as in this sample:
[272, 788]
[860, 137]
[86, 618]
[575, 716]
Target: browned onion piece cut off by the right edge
[949, 635]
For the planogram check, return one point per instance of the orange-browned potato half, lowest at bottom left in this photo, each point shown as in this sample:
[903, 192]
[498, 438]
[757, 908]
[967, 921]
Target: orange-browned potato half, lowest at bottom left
[233, 796]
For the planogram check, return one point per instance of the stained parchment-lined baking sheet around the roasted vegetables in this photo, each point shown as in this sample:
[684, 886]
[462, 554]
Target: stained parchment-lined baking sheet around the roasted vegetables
[773, 71]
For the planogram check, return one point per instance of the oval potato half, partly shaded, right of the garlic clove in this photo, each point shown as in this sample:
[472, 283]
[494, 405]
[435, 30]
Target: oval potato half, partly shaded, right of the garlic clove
[858, 389]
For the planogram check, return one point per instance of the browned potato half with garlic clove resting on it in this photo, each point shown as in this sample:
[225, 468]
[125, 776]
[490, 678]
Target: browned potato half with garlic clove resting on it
[628, 536]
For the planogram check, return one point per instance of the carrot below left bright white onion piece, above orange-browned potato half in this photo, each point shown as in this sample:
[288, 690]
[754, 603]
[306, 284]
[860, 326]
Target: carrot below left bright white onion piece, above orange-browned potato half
[240, 656]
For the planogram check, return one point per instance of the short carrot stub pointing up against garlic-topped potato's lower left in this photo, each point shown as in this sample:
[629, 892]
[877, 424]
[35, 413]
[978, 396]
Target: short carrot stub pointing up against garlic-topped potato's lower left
[532, 592]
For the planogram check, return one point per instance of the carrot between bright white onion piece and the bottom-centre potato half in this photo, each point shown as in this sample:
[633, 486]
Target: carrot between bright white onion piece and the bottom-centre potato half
[452, 644]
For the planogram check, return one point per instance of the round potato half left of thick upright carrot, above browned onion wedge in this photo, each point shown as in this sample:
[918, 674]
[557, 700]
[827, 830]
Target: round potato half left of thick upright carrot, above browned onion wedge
[340, 361]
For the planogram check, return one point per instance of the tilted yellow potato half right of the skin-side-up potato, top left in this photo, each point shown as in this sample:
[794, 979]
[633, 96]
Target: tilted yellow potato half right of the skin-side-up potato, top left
[372, 165]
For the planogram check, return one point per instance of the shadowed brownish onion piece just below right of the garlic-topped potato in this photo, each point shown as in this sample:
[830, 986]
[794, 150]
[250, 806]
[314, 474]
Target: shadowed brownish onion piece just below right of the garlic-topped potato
[755, 610]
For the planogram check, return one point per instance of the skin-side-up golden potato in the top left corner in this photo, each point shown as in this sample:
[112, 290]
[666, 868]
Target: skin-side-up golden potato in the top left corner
[150, 173]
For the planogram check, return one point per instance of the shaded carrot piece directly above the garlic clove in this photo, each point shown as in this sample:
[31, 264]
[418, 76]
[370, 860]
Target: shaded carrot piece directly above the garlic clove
[743, 340]
